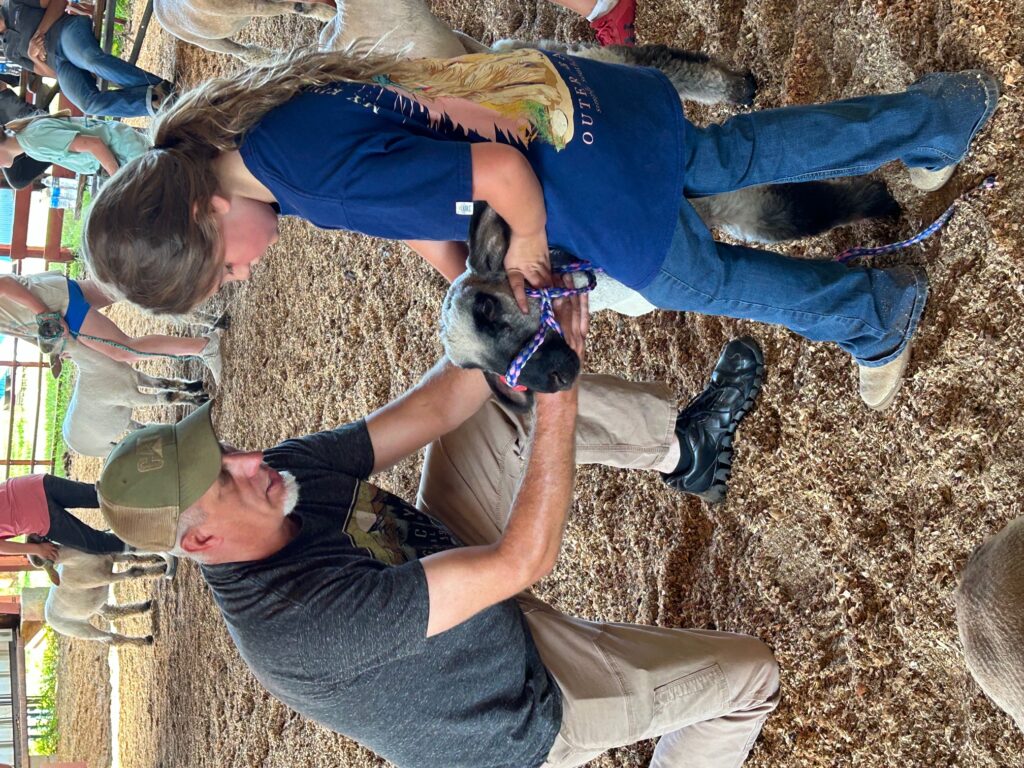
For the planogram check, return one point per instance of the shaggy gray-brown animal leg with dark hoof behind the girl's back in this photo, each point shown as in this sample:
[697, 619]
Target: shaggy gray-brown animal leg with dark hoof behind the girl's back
[696, 76]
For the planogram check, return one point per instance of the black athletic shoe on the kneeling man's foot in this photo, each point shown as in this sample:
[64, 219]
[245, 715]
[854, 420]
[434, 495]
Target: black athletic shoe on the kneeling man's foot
[706, 426]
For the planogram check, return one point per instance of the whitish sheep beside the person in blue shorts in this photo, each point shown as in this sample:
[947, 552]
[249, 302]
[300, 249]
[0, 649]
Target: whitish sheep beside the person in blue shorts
[106, 393]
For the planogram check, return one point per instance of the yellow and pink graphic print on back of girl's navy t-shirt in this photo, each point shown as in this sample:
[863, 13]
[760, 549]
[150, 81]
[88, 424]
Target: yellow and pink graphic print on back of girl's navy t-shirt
[519, 96]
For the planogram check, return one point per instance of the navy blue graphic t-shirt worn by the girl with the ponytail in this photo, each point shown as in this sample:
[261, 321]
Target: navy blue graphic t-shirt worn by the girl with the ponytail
[393, 159]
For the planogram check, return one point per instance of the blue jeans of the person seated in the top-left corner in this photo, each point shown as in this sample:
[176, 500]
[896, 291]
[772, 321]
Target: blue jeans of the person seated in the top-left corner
[79, 61]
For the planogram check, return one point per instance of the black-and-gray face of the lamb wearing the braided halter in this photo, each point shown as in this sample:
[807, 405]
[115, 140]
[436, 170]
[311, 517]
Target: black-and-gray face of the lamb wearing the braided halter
[483, 327]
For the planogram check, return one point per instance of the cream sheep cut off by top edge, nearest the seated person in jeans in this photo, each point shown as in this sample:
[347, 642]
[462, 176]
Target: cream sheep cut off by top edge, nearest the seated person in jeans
[211, 24]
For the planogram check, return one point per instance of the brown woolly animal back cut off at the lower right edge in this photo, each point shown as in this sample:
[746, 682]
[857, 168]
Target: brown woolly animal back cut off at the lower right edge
[991, 619]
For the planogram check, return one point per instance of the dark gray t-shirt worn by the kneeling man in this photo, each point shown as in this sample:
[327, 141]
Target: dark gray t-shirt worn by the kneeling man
[334, 625]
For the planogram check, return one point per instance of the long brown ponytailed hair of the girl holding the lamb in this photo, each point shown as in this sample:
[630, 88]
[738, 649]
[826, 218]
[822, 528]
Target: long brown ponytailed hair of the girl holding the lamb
[151, 234]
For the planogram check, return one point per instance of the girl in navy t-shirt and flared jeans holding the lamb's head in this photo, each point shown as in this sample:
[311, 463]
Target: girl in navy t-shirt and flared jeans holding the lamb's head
[591, 157]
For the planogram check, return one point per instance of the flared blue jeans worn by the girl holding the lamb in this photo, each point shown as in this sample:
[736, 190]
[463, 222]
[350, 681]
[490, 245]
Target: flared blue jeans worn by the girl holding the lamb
[871, 314]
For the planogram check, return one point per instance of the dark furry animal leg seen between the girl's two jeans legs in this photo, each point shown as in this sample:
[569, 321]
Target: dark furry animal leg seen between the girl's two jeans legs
[778, 212]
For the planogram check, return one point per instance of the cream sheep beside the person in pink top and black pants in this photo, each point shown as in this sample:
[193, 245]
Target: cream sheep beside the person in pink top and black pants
[83, 593]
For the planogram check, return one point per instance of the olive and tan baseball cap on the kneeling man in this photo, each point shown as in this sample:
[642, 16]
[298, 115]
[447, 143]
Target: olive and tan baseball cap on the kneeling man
[155, 475]
